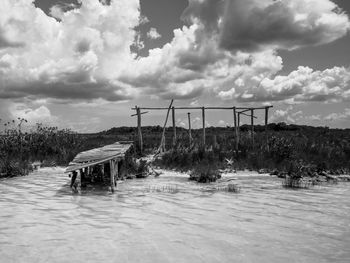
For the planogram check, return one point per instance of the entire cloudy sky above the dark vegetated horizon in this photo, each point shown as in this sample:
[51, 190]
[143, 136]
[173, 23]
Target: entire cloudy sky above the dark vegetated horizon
[83, 64]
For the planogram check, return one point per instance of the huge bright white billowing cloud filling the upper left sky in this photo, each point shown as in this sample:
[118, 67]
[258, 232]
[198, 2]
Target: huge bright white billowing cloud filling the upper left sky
[79, 57]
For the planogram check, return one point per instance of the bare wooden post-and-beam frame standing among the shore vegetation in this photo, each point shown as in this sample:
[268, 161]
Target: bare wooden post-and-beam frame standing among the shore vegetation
[237, 113]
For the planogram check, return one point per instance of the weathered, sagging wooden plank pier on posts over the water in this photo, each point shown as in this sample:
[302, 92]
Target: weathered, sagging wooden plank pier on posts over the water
[106, 160]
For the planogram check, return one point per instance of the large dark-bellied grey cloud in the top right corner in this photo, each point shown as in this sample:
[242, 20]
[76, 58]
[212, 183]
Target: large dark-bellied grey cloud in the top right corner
[289, 24]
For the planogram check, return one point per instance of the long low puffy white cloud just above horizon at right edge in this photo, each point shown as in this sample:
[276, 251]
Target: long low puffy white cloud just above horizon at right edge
[301, 85]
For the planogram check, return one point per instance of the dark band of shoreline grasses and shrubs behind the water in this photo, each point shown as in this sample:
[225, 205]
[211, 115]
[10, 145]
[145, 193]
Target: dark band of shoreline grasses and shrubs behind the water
[303, 155]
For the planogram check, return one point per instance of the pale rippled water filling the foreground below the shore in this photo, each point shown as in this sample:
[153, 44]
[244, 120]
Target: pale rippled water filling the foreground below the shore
[169, 219]
